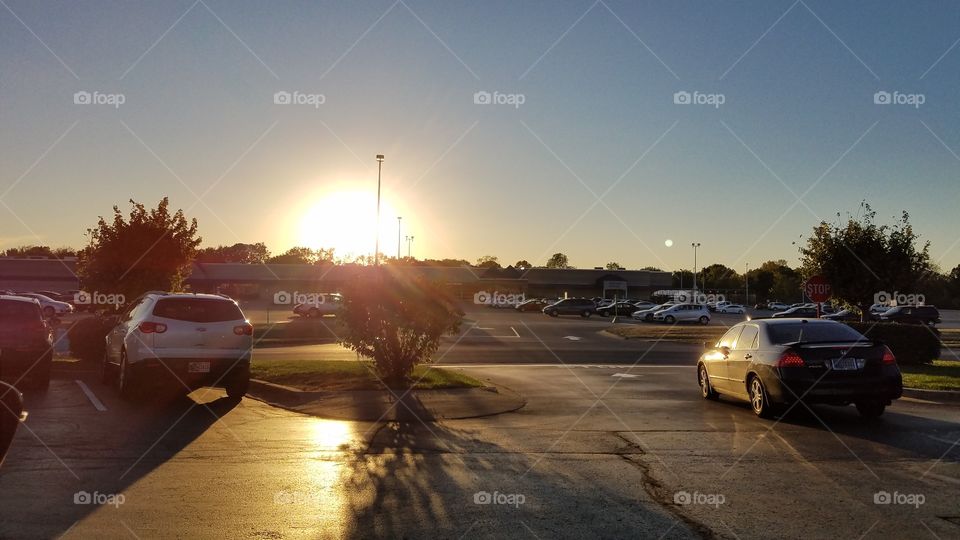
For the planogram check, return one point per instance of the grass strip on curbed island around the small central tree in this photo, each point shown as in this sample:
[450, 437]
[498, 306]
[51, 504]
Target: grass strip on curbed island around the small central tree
[337, 375]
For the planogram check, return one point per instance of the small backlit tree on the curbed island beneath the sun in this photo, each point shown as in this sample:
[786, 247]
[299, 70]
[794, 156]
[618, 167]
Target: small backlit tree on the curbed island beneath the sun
[396, 320]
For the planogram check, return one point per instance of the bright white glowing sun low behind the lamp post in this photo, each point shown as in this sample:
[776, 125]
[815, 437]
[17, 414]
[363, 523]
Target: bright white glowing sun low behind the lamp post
[346, 222]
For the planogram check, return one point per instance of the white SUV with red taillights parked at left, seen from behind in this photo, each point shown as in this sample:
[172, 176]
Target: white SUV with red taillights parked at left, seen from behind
[200, 339]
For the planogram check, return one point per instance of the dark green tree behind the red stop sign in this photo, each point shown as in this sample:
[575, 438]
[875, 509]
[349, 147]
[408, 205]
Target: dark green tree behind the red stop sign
[861, 258]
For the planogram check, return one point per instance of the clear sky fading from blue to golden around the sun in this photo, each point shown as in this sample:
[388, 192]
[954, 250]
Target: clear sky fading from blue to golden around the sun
[605, 130]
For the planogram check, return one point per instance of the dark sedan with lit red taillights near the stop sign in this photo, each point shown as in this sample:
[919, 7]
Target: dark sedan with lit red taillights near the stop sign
[774, 363]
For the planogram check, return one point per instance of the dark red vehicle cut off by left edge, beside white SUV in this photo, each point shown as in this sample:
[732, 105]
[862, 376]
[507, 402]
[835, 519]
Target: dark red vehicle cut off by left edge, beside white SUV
[26, 343]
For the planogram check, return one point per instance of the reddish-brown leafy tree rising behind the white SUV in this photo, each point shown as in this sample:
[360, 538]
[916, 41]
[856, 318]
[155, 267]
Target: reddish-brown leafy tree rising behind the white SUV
[152, 250]
